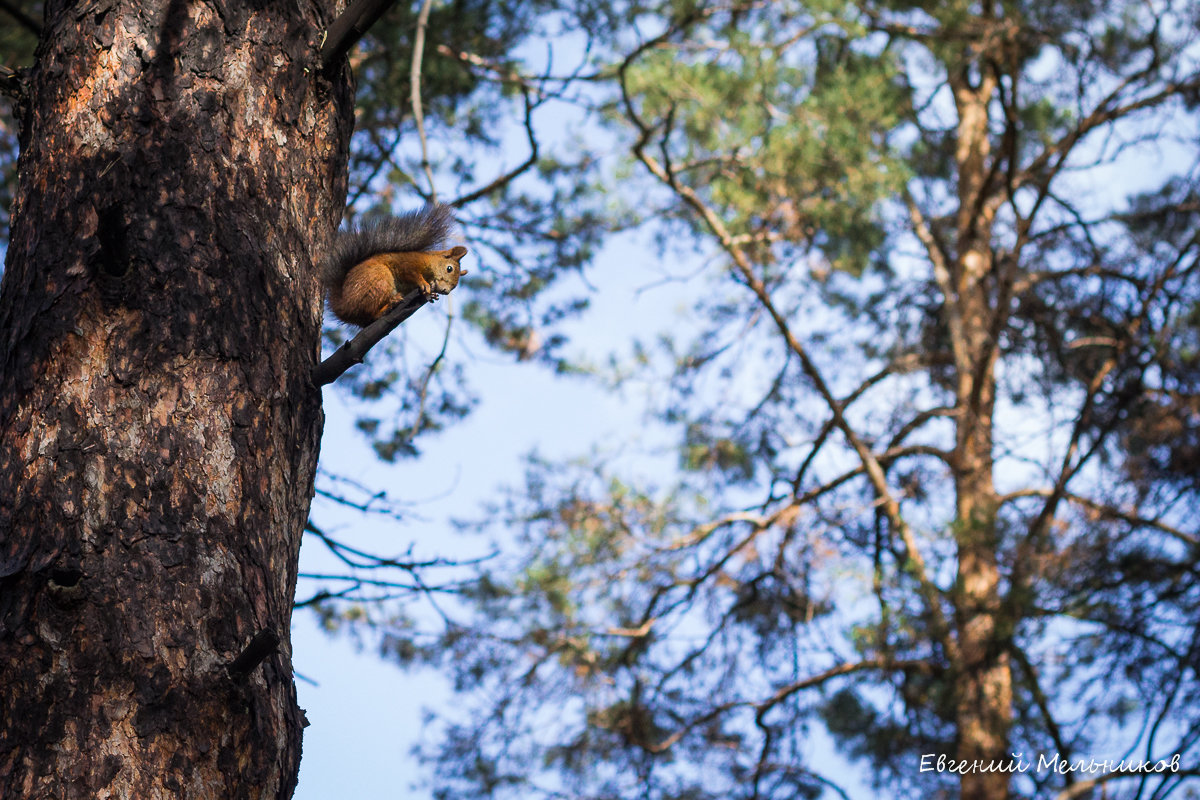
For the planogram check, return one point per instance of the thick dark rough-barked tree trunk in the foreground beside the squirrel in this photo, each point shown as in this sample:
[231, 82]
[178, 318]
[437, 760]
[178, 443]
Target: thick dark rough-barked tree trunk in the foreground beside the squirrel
[159, 432]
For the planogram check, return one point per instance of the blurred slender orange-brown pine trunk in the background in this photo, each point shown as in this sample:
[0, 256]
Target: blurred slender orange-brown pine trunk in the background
[983, 683]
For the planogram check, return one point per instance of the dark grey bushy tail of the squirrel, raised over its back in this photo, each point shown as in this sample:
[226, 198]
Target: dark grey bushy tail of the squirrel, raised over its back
[421, 231]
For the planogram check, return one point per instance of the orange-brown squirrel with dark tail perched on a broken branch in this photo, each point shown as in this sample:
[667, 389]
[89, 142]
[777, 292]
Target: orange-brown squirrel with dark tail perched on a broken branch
[375, 267]
